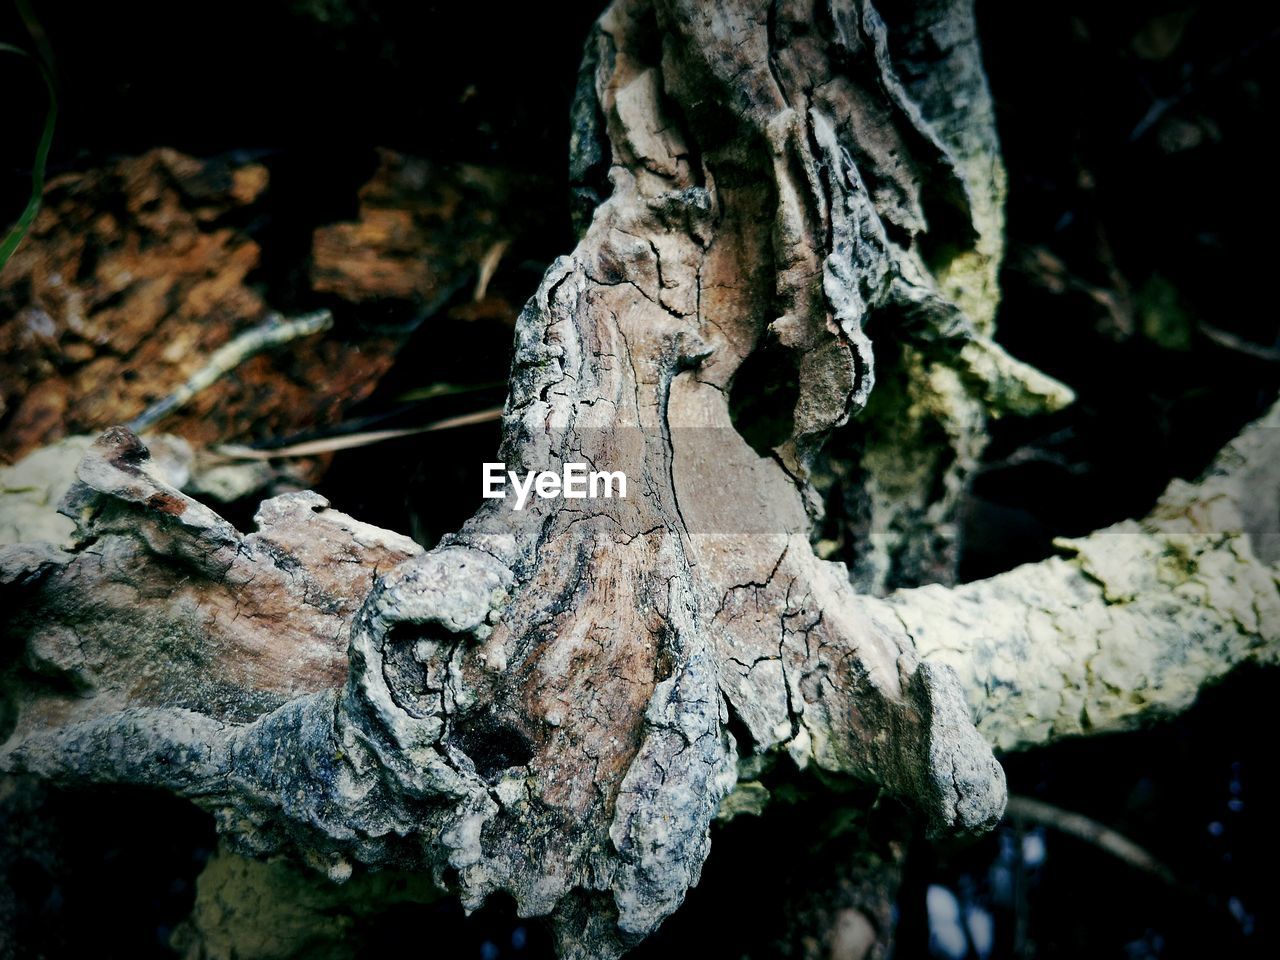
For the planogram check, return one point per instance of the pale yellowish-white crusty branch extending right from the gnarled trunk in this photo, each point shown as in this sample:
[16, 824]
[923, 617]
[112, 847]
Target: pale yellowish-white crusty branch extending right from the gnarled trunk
[1131, 623]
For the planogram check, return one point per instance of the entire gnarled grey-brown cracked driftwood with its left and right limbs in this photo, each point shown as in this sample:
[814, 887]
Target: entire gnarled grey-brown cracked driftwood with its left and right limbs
[556, 702]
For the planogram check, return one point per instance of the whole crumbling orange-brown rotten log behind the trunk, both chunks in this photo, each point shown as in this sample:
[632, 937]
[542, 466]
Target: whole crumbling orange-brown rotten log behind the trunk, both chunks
[138, 273]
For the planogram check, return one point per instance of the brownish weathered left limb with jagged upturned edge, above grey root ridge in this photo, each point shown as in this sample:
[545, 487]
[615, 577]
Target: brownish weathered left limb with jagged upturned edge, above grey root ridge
[163, 604]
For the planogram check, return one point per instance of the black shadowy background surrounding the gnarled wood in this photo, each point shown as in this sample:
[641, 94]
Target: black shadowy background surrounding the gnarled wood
[1142, 218]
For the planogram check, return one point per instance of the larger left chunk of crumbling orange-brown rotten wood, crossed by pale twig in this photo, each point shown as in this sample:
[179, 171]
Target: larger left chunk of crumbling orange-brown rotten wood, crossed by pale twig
[131, 277]
